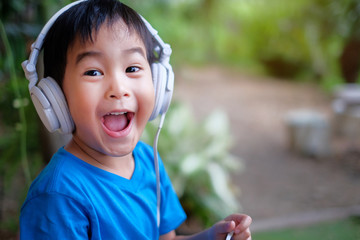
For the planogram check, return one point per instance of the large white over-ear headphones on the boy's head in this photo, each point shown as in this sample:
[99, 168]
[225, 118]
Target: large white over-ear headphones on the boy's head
[50, 102]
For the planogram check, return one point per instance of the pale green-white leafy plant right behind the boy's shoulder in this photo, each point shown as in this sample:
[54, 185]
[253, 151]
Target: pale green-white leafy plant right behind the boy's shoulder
[196, 156]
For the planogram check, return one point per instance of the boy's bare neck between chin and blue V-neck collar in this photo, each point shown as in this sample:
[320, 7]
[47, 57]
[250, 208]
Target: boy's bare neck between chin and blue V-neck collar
[122, 166]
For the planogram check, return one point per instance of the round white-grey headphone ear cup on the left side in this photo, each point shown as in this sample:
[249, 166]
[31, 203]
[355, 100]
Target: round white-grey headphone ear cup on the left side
[51, 106]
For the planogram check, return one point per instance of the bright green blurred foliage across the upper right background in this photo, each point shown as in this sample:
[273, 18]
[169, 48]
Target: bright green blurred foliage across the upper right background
[301, 39]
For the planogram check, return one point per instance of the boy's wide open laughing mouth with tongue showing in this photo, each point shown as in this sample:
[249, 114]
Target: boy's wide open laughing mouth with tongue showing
[117, 121]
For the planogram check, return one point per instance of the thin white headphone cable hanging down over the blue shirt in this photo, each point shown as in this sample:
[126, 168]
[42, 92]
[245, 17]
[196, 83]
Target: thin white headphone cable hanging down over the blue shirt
[156, 163]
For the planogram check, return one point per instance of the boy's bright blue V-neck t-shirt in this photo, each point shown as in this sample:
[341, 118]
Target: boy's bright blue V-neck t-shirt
[71, 199]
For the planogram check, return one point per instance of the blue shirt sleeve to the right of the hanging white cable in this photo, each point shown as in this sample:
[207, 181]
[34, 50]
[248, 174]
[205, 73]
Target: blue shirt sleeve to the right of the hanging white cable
[171, 212]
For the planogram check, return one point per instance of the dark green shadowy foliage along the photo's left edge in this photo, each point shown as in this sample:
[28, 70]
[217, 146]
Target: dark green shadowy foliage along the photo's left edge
[20, 151]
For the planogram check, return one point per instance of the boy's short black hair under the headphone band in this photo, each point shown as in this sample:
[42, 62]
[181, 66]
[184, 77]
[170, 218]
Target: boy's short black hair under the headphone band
[82, 20]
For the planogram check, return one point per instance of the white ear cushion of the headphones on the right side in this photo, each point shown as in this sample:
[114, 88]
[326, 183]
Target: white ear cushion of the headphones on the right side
[159, 79]
